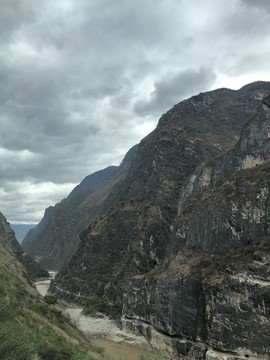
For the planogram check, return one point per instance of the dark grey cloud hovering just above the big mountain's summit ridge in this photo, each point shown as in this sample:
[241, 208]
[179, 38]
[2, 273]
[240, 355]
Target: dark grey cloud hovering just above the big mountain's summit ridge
[173, 88]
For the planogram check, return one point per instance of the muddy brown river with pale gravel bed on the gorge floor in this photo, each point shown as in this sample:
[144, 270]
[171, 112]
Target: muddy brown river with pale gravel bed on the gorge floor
[96, 328]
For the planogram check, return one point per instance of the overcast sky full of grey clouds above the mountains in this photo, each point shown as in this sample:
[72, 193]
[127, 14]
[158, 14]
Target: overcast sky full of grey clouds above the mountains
[82, 81]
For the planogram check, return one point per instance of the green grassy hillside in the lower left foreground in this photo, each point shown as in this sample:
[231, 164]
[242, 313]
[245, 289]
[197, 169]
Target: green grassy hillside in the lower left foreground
[30, 329]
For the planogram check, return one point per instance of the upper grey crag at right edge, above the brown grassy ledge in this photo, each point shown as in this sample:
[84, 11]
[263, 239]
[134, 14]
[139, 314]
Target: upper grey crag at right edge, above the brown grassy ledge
[234, 197]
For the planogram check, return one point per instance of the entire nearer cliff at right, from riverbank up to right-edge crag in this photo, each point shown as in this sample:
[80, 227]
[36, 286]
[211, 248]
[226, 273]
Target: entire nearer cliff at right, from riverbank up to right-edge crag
[222, 311]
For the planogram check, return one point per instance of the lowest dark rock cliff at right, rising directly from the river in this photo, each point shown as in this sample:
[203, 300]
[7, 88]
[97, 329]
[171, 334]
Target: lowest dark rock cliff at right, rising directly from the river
[205, 307]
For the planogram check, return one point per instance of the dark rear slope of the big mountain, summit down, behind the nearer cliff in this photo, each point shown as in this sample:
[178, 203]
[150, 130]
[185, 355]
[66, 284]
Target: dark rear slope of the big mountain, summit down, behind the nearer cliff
[135, 232]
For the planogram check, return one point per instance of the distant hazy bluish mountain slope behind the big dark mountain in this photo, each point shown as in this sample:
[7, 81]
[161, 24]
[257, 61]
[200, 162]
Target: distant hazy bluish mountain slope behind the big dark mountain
[54, 240]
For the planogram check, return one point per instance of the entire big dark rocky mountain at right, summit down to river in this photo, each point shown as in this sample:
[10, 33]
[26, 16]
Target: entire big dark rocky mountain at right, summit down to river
[182, 243]
